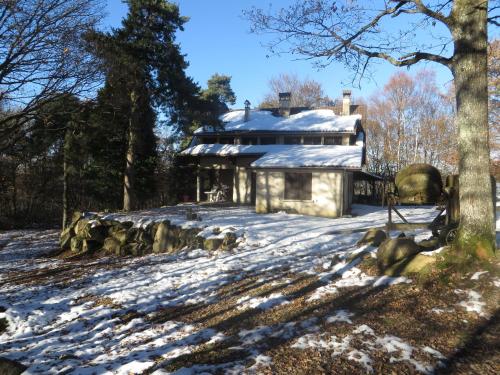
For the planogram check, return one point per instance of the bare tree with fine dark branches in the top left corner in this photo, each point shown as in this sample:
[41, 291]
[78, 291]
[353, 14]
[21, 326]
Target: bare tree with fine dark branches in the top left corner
[42, 55]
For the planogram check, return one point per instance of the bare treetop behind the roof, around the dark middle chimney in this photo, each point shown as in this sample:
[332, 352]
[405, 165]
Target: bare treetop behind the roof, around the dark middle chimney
[305, 92]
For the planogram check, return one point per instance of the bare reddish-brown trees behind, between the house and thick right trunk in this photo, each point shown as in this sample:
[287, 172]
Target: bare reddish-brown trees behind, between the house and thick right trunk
[410, 121]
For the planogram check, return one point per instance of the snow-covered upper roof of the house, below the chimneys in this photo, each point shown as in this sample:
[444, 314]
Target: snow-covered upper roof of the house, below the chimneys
[313, 120]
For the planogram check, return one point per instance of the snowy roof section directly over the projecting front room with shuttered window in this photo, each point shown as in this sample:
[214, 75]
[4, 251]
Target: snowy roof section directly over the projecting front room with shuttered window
[313, 156]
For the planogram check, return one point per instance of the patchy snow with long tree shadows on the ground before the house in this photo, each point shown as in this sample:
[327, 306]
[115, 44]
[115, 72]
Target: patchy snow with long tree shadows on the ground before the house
[76, 326]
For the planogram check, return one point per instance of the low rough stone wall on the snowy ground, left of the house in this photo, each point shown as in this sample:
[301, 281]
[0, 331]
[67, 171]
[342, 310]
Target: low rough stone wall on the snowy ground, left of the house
[92, 234]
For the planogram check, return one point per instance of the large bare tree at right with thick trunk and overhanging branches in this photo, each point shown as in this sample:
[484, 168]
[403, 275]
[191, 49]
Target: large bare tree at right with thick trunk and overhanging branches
[455, 35]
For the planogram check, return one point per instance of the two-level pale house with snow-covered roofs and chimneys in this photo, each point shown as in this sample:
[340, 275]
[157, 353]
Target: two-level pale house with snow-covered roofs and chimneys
[293, 159]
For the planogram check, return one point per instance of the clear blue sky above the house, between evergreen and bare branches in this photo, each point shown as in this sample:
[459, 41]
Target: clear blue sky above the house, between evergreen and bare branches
[216, 40]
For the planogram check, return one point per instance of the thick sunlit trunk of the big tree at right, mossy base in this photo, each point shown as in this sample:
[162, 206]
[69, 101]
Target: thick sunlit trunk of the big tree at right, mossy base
[476, 233]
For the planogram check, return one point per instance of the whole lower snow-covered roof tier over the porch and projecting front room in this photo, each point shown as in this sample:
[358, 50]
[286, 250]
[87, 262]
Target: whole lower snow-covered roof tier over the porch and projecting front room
[287, 156]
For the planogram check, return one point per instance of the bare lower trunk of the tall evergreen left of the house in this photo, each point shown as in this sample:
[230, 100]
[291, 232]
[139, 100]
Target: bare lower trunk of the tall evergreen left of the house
[129, 198]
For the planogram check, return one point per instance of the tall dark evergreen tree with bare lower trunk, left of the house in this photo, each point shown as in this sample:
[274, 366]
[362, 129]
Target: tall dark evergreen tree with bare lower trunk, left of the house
[144, 50]
